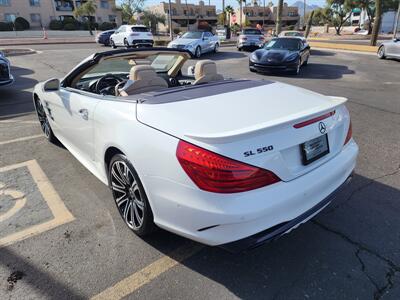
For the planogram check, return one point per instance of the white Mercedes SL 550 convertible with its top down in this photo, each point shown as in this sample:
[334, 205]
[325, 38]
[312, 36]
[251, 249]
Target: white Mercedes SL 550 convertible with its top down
[232, 163]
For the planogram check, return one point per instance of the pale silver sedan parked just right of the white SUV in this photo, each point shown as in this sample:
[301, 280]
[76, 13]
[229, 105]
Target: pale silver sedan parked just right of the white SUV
[196, 42]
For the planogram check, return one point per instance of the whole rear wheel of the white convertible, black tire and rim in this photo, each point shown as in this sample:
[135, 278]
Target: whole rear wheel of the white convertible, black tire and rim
[129, 196]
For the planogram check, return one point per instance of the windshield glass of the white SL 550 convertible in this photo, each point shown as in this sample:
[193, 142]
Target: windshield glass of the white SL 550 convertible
[160, 62]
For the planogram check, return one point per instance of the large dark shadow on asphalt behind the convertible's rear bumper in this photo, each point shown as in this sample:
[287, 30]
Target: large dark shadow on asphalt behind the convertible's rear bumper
[314, 259]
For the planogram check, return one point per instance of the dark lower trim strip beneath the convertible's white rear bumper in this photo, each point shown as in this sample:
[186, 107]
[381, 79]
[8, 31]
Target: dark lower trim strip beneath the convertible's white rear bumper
[277, 231]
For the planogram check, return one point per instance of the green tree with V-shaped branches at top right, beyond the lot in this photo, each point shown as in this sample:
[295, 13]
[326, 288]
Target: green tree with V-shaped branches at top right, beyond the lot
[339, 12]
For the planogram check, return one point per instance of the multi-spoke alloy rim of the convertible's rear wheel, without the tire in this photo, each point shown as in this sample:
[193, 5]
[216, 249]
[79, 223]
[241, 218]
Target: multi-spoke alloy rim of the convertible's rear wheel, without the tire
[127, 195]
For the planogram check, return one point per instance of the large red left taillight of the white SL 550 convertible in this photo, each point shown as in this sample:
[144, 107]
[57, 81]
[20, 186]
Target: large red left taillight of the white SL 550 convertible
[215, 173]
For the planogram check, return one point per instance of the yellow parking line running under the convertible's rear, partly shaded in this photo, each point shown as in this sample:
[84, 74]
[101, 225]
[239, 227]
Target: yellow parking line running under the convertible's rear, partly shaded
[133, 282]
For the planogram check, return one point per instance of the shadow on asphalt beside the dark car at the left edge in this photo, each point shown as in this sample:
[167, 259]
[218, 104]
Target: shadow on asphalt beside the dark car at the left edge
[17, 98]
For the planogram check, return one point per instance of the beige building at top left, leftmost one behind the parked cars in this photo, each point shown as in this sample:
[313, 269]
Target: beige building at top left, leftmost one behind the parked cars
[40, 12]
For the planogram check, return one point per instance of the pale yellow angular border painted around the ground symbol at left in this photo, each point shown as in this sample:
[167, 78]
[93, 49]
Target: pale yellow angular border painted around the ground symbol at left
[60, 212]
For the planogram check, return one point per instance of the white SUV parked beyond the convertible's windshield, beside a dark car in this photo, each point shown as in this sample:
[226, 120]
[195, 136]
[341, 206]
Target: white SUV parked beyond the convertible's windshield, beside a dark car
[132, 36]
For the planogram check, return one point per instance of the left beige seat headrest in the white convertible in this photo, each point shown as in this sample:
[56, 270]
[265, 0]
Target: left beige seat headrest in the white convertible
[142, 78]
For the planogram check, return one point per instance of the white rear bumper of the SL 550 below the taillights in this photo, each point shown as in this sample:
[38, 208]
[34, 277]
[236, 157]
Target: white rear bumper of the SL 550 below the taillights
[218, 219]
